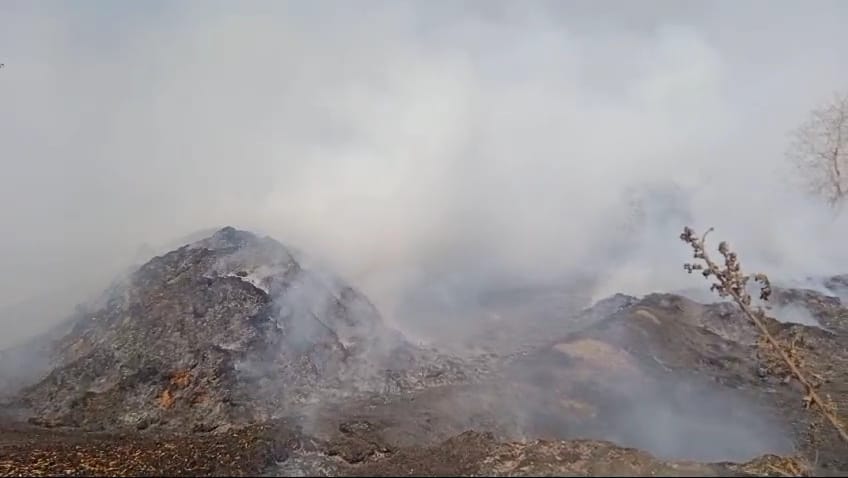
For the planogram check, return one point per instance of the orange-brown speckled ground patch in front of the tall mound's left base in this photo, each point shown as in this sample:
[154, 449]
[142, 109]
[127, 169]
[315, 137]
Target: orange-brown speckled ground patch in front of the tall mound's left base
[29, 451]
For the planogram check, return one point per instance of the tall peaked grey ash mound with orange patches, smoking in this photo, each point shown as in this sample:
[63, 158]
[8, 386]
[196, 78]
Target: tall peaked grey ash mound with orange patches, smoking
[224, 331]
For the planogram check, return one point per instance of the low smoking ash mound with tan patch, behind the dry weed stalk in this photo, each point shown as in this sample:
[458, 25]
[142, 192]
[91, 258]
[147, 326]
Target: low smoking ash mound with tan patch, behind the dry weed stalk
[682, 379]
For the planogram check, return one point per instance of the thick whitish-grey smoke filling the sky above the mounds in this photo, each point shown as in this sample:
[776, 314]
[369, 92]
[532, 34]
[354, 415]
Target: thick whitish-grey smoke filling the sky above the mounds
[410, 143]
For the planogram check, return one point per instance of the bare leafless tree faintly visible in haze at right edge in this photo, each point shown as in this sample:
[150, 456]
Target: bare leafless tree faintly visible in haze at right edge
[820, 151]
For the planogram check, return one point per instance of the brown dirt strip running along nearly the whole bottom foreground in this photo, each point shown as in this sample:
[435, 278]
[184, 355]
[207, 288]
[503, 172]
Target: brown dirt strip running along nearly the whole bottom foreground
[281, 451]
